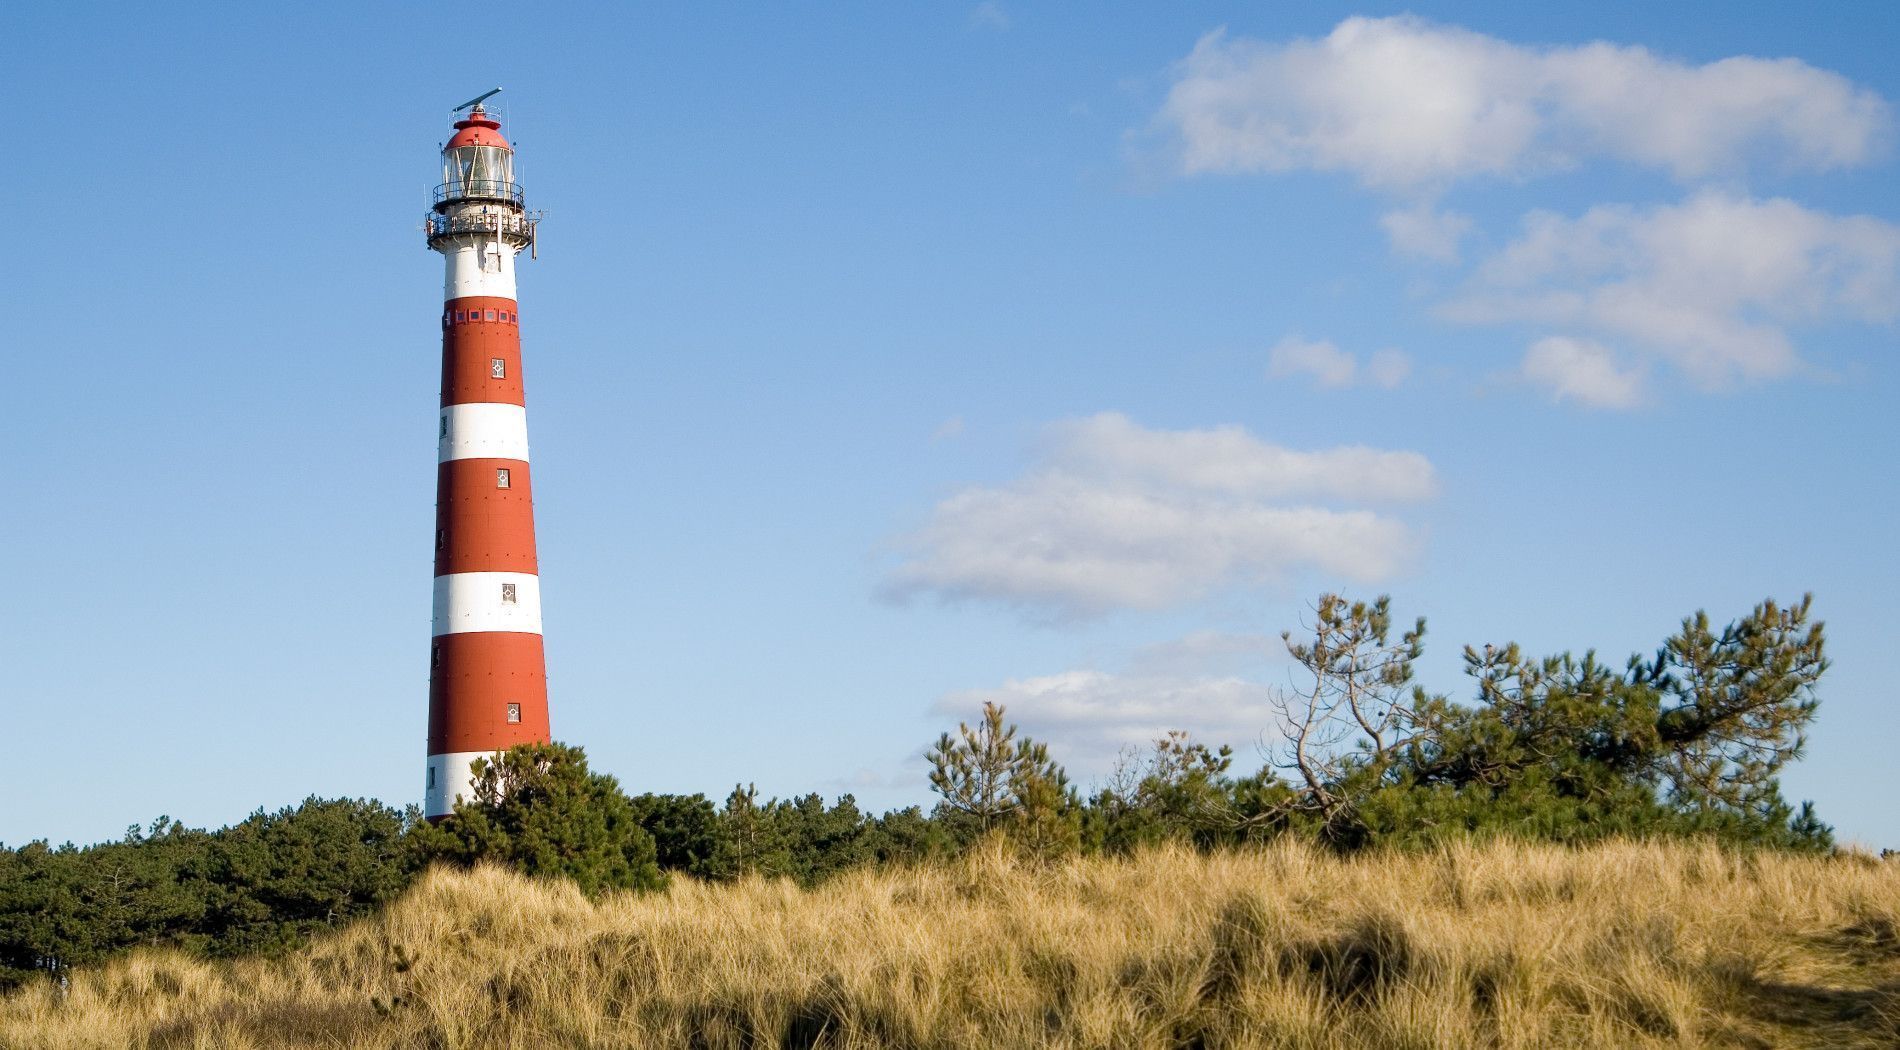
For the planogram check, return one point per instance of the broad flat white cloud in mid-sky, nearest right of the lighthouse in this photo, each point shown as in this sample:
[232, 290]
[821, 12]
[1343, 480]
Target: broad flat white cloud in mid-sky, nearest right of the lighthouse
[1124, 517]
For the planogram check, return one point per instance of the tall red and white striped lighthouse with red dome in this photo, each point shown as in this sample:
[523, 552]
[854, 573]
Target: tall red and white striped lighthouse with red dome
[487, 673]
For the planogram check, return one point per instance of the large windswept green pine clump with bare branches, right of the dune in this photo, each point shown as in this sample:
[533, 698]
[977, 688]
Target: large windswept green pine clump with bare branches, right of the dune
[1557, 749]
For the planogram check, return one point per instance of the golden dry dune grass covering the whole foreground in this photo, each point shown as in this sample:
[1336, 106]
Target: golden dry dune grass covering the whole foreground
[1472, 947]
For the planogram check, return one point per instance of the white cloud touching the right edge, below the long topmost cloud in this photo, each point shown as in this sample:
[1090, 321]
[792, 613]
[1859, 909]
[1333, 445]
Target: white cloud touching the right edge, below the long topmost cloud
[1711, 286]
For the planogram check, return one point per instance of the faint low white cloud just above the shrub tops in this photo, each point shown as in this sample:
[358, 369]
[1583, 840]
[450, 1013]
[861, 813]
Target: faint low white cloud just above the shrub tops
[1090, 717]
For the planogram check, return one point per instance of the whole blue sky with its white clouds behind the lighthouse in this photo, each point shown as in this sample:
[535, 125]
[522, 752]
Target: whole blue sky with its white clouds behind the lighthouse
[884, 360]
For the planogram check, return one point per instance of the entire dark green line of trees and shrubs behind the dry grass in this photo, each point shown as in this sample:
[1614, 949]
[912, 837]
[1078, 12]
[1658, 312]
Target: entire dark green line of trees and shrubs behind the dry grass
[1686, 741]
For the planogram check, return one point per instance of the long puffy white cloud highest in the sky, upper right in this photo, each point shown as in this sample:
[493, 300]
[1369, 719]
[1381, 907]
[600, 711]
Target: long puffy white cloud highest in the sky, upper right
[1409, 103]
